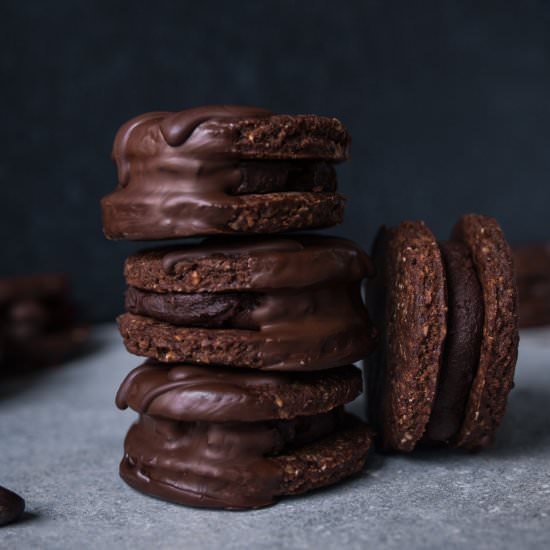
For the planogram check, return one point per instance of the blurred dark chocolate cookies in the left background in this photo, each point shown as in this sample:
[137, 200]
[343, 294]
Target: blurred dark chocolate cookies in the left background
[38, 325]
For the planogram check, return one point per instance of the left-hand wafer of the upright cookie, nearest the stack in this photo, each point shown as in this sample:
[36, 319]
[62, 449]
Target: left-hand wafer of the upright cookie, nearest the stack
[403, 388]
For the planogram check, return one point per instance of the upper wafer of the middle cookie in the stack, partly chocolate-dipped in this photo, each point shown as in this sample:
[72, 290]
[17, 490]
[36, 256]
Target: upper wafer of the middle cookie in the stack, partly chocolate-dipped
[256, 264]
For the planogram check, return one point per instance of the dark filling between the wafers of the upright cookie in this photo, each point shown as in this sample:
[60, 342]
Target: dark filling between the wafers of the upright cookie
[462, 345]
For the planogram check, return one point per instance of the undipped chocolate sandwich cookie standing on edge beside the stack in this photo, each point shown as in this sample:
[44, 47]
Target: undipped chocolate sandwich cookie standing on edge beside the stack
[448, 312]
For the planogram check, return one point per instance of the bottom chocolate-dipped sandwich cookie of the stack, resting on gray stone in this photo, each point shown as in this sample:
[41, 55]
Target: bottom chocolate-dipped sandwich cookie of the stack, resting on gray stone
[229, 438]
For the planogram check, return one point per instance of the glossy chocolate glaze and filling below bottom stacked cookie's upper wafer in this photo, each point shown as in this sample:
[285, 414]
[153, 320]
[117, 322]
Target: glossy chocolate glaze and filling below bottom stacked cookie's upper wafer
[215, 465]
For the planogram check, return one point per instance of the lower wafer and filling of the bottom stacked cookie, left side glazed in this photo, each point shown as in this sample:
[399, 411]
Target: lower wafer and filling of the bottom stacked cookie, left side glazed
[239, 466]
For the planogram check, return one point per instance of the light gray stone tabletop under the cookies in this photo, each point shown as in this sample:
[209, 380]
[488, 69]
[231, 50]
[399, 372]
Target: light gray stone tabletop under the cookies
[61, 439]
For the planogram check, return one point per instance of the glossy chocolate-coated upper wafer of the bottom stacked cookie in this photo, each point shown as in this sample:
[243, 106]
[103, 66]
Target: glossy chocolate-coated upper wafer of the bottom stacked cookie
[192, 393]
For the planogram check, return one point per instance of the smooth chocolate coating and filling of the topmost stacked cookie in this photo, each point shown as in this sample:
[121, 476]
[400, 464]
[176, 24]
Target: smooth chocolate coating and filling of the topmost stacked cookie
[181, 174]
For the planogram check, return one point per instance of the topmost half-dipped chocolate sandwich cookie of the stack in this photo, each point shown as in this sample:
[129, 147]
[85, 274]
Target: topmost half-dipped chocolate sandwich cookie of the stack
[224, 169]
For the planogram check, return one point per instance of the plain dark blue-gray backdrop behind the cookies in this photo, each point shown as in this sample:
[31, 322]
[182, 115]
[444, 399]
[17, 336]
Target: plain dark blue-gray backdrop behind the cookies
[448, 104]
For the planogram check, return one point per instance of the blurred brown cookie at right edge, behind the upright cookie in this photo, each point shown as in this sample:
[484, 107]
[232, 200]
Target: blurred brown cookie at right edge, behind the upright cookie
[533, 275]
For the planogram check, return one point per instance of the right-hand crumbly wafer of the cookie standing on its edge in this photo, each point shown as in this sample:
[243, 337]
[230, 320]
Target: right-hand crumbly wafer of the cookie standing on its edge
[493, 260]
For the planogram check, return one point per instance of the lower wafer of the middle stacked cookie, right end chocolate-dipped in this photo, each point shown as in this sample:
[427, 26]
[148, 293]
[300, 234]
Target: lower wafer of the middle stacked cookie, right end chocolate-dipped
[334, 343]
